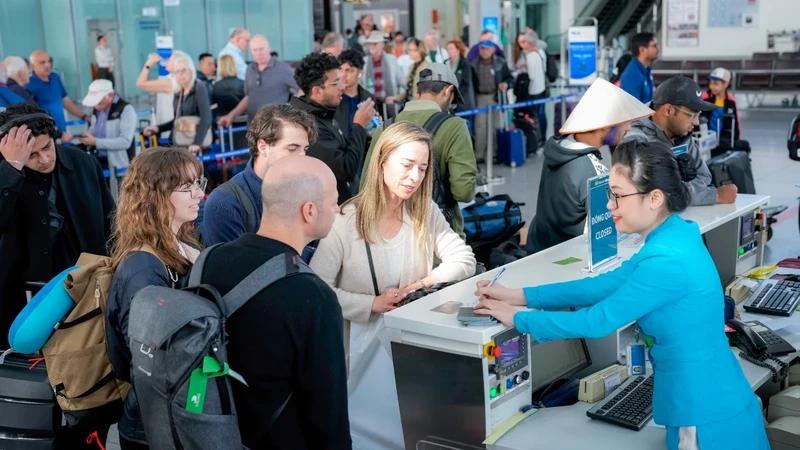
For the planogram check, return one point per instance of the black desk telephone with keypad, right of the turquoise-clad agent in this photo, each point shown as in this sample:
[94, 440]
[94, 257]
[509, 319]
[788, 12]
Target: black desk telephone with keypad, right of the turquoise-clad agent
[756, 350]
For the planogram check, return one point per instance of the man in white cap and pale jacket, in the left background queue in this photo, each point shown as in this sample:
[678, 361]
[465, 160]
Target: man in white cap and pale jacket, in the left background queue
[112, 128]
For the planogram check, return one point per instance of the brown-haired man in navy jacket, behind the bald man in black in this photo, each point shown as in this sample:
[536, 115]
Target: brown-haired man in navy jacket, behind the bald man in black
[234, 208]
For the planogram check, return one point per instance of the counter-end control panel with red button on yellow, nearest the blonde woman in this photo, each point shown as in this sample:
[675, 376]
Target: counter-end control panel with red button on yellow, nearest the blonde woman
[509, 366]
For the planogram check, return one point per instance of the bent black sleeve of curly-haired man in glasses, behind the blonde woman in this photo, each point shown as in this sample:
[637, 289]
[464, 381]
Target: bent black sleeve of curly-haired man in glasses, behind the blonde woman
[343, 161]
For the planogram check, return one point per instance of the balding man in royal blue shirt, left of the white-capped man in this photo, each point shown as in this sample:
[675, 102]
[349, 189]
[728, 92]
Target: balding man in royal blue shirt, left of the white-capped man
[48, 91]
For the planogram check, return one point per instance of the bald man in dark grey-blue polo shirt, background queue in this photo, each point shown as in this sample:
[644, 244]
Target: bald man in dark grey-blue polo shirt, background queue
[267, 82]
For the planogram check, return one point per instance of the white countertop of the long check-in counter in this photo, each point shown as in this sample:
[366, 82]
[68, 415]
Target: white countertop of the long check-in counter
[534, 270]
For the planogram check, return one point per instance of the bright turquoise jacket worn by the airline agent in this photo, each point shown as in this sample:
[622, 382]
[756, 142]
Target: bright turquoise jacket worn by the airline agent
[672, 289]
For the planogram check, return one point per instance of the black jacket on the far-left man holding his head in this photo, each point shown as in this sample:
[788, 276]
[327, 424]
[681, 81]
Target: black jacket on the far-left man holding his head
[25, 249]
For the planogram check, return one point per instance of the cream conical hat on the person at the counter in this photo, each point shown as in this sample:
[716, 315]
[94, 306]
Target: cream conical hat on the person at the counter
[604, 105]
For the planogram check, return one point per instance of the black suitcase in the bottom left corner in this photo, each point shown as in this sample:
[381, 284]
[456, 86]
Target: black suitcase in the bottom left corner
[29, 414]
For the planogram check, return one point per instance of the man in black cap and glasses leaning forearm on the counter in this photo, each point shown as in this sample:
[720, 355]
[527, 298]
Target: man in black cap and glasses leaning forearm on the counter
[678, 103]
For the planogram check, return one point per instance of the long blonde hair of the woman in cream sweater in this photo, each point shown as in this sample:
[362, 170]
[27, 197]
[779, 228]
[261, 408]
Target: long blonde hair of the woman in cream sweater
[371, 201]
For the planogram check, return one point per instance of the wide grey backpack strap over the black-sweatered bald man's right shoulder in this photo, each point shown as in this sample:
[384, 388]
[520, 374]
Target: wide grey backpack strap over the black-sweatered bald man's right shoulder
[277, 268]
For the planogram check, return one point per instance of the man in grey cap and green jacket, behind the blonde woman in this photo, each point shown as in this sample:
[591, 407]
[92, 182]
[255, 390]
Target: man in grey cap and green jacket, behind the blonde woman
[437, 90]
